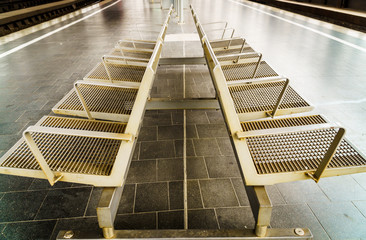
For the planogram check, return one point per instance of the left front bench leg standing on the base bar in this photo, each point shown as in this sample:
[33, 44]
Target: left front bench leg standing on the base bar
[107, 210]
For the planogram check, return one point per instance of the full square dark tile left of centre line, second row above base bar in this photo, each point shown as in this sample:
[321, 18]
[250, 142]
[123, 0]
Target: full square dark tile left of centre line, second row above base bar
[151, 197]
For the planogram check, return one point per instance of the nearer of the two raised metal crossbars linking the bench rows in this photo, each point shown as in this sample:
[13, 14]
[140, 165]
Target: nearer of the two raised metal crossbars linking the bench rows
[165, 104]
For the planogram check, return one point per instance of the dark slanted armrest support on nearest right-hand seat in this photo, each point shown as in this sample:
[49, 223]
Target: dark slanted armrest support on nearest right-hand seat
[329, 154]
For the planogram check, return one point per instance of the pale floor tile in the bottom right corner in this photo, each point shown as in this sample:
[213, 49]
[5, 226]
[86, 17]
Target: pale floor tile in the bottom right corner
[340, 220]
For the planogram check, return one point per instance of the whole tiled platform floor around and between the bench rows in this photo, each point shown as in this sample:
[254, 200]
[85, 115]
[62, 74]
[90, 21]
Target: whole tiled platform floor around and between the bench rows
[328, 73]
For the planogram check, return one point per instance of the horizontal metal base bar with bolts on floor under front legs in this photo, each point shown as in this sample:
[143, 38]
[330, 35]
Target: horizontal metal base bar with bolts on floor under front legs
[193, 234]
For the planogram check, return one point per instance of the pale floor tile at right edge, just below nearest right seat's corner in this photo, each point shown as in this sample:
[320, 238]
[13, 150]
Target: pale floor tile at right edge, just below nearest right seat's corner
[343, 188]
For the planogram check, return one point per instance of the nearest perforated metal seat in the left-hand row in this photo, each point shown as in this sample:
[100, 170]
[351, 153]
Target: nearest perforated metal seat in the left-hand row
[75, 150]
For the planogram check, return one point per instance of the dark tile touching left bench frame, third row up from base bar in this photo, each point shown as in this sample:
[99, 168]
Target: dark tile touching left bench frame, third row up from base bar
[142, 171]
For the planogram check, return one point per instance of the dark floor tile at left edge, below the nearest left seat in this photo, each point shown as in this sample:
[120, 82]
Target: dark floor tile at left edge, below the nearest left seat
[20, 206]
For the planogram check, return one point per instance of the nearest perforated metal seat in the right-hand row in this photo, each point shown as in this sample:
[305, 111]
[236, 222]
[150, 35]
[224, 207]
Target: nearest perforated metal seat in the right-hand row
[298, 144]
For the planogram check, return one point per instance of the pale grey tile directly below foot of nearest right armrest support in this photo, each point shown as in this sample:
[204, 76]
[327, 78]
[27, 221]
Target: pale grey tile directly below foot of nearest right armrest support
[302, 191]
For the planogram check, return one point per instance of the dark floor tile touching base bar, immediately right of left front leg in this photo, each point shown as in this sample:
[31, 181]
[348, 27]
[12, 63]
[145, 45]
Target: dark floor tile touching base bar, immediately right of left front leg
[136, 221]
